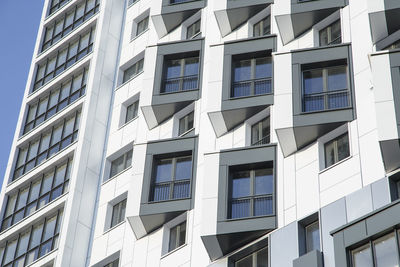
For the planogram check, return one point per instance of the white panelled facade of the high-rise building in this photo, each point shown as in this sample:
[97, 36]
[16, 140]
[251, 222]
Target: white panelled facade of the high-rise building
[303, 187]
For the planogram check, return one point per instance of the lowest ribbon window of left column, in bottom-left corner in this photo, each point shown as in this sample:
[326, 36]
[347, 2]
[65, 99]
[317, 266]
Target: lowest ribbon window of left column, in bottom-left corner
[33, 243]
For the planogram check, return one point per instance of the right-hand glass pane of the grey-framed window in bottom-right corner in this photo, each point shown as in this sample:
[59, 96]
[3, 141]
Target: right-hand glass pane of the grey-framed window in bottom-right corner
[386, 251]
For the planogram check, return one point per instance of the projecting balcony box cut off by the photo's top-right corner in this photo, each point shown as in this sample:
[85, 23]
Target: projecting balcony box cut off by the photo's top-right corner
[384, 18]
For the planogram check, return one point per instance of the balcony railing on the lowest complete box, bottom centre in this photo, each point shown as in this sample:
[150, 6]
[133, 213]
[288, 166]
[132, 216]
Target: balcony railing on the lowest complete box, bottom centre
[252, 206]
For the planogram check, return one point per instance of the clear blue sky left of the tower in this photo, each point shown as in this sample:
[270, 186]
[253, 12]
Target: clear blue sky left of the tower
[19, 23]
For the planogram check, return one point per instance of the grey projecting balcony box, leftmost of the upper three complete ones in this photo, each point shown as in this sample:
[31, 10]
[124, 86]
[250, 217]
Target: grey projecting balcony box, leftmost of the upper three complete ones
[177, 79]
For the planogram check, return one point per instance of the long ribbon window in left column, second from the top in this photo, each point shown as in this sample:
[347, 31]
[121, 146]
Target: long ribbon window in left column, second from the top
[69, 21]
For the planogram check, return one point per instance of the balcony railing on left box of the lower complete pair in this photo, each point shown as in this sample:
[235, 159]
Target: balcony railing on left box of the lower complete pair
[171, 190]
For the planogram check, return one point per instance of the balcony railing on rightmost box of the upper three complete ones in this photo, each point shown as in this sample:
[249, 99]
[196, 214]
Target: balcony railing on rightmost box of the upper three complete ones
[326, 100]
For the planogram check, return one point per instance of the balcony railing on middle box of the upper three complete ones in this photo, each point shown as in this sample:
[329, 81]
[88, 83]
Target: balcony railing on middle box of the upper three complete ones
[251, 87]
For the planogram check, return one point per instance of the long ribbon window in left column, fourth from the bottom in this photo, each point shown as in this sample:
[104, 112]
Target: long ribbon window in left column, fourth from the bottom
[49, 105]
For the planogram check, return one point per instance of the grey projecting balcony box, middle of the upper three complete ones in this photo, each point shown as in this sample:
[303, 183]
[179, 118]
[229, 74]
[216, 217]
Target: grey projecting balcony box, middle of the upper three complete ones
[246, 82]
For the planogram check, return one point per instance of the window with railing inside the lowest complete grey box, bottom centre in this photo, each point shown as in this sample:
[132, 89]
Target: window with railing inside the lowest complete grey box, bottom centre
[251, 192]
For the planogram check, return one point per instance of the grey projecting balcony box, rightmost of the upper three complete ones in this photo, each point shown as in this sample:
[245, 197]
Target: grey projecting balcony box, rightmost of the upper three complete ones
[321, 94]
